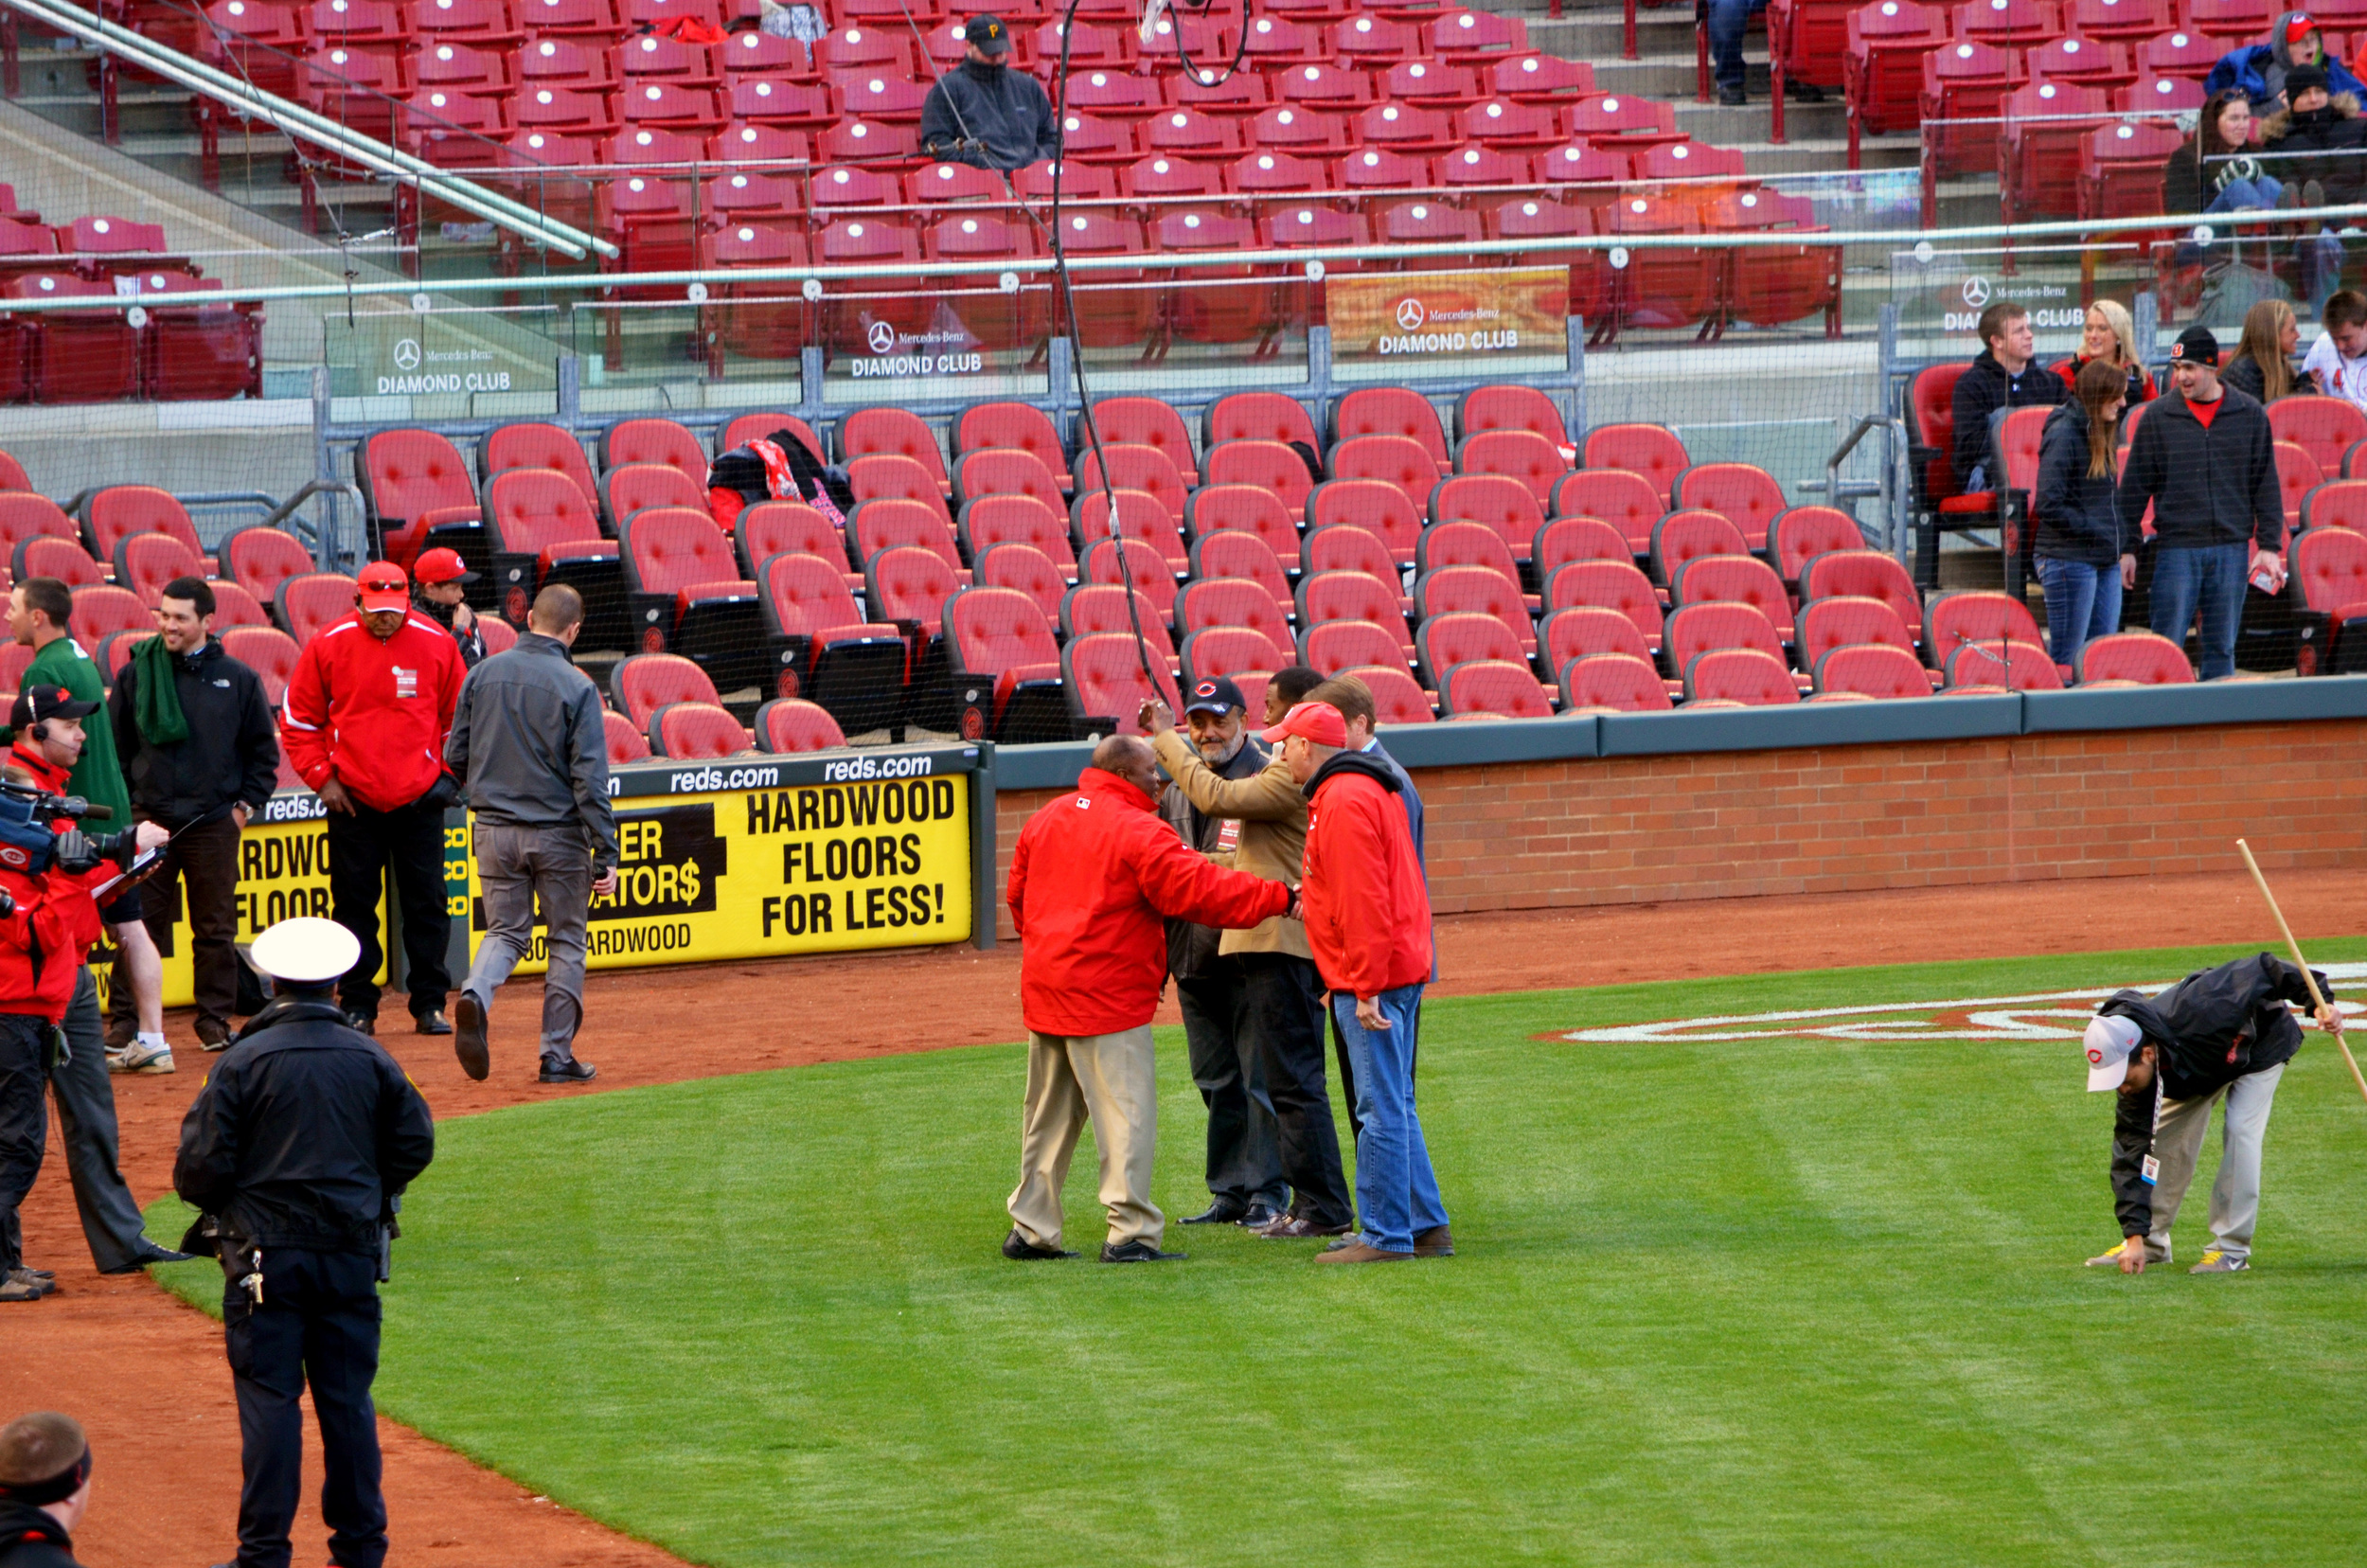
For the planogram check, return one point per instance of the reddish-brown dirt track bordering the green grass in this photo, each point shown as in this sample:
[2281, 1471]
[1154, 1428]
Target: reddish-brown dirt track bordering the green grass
[146, 1373]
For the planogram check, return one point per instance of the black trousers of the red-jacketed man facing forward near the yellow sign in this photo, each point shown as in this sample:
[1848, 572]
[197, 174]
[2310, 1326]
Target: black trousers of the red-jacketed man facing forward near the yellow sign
[361, 852]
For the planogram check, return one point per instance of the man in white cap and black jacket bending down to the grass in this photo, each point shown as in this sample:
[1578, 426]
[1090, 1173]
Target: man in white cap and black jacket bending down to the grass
[2219, 1034]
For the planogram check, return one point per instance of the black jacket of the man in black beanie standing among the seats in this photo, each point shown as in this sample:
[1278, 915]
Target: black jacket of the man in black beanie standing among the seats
[2207, 487]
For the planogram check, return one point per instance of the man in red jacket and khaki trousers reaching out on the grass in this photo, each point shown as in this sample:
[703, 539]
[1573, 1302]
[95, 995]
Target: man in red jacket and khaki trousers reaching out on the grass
[1095, 882]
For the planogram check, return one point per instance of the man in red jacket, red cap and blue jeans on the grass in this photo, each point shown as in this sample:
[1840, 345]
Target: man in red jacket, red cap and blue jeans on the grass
[1369, 927]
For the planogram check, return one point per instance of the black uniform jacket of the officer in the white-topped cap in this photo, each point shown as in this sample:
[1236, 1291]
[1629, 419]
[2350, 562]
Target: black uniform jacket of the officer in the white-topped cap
[304, 1131]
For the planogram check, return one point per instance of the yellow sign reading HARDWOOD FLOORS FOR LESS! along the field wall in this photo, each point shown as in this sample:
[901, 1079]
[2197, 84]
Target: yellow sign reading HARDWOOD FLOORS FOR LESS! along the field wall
[759, 873]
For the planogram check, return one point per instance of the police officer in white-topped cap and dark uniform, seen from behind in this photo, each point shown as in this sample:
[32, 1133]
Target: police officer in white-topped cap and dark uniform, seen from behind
[297, 1152]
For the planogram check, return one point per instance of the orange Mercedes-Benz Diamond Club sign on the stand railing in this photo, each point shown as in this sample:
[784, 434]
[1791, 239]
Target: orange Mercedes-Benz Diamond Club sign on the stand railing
[1447, 316]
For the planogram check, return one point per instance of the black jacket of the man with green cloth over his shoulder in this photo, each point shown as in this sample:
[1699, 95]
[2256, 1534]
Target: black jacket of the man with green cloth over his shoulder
[233, 750]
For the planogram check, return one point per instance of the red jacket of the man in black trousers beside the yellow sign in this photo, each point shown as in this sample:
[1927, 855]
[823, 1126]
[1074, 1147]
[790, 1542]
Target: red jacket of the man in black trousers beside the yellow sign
[373, 714]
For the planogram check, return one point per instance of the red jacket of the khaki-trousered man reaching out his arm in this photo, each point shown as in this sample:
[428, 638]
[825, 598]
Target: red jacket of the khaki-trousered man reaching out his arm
[1095, 882]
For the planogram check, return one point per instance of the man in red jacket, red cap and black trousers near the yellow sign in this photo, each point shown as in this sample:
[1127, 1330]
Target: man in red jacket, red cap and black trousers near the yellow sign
[366, 724]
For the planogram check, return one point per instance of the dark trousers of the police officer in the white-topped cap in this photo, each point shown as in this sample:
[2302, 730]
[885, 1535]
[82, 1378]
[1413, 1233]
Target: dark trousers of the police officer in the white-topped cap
[318, 1325]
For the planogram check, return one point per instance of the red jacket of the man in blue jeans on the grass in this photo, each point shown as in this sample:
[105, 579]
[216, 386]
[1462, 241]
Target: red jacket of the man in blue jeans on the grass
[1365, 897]
